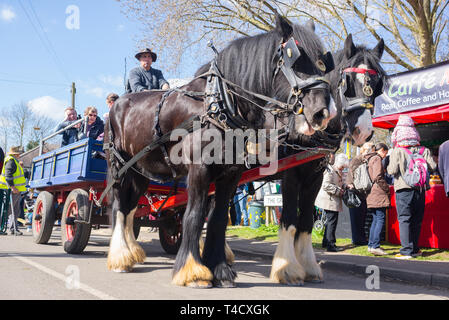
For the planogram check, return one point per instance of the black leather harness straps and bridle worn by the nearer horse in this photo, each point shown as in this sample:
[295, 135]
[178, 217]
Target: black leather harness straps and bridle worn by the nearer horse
[221, 109]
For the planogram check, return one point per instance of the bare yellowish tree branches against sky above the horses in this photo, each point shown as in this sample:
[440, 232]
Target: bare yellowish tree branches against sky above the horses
[415, 31]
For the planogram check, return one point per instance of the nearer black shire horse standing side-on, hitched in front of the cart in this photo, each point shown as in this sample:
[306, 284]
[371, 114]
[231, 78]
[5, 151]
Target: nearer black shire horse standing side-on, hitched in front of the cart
[249, 63]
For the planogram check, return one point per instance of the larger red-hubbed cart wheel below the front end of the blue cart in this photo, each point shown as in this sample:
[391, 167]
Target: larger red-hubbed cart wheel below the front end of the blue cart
[75, 235]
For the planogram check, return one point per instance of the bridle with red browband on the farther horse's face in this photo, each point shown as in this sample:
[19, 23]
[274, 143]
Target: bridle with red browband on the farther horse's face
[353, 103]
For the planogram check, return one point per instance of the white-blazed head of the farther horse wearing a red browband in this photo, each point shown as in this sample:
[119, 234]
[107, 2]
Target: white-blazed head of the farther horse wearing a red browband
[360, 80]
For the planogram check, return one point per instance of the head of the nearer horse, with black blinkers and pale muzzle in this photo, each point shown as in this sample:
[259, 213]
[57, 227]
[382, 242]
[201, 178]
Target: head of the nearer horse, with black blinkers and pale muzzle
[300, 67]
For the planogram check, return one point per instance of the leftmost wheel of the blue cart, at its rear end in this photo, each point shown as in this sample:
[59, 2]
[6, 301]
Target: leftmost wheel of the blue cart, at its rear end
[43, 217]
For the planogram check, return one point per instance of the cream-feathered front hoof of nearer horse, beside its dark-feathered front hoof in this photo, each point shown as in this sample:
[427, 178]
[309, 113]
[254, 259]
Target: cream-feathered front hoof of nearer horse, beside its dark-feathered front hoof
[193, 274]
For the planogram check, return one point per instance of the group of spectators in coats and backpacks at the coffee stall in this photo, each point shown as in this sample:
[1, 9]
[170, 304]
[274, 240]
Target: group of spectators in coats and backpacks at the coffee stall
[406, 166]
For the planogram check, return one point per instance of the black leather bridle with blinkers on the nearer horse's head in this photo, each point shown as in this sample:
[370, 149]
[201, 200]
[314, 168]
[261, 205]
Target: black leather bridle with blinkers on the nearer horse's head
[288, 53]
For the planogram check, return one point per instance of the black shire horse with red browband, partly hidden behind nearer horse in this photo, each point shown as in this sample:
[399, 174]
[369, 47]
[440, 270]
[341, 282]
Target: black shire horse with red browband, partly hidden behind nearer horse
[355, 82]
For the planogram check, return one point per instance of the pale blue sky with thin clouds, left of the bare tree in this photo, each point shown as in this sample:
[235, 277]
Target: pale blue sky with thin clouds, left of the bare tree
[39, 69]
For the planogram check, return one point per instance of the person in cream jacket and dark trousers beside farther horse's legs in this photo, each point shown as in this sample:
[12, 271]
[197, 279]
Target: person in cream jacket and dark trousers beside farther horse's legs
[329, 199]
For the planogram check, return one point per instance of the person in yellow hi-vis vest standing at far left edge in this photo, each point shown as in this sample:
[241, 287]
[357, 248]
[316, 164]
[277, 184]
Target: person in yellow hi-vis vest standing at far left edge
[12, 177]
